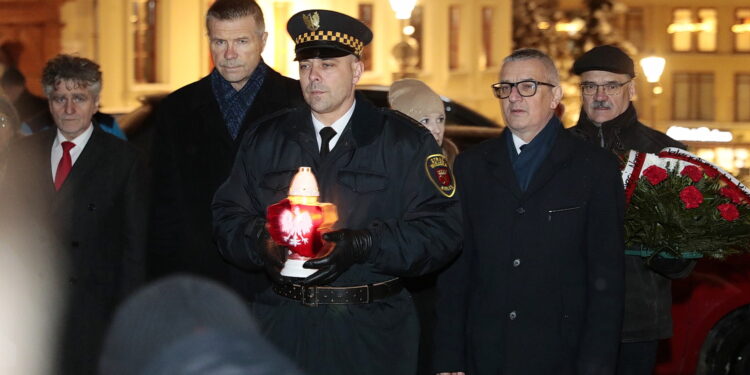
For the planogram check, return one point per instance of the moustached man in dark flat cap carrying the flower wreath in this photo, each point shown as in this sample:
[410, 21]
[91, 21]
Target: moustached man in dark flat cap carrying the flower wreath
[608, 119]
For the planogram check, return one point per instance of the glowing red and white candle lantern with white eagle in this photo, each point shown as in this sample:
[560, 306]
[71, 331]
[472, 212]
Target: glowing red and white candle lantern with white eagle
[298, 223]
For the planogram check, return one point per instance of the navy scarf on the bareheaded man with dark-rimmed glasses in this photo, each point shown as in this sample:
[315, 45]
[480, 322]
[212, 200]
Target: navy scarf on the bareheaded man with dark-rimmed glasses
[527, 162]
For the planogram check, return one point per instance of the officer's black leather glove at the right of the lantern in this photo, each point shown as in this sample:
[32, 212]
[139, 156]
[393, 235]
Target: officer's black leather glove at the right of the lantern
[351, 246]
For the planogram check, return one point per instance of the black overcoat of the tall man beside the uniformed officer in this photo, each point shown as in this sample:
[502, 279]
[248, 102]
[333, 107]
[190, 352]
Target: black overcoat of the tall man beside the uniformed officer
[192, 156]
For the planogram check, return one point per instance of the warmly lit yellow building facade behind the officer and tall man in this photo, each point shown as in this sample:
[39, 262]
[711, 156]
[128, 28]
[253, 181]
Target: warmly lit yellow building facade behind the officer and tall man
[148, 46]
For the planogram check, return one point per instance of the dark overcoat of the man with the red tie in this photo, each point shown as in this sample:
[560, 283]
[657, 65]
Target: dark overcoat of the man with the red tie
[98, 220]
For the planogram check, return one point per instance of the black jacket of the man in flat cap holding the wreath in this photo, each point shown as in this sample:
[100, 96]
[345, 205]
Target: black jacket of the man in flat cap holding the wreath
[648, 289]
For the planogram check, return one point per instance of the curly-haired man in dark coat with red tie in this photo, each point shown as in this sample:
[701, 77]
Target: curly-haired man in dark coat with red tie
[82, 192]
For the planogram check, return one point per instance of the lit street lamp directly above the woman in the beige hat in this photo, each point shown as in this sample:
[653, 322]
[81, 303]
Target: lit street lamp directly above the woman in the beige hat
[406, 52]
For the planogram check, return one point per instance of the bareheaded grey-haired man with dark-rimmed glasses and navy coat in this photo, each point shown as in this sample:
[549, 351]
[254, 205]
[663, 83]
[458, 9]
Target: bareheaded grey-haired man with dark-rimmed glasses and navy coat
[539, 286]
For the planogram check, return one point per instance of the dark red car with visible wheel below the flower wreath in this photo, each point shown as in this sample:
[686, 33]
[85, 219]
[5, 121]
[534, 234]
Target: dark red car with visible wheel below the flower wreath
[711, 314]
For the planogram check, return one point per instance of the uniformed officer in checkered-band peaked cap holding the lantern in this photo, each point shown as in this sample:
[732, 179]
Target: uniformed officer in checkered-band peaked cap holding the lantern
[397, 214]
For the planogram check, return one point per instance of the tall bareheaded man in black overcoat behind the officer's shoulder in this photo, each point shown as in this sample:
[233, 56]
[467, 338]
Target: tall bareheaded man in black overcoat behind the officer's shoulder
[198, 130]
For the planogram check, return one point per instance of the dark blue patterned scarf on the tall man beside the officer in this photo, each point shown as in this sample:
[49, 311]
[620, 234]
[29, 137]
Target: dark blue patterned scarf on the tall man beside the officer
[234, 104]
